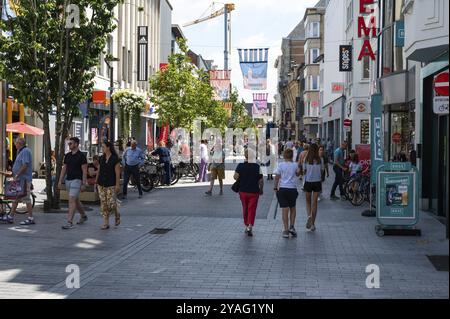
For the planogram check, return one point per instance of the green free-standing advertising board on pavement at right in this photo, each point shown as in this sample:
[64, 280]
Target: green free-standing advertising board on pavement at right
[397, 199]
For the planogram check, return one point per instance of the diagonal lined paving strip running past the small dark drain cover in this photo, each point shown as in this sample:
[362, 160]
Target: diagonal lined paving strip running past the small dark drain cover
[60, 291]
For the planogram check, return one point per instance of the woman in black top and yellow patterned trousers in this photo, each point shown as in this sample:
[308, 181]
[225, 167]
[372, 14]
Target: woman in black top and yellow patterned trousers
[108, 183]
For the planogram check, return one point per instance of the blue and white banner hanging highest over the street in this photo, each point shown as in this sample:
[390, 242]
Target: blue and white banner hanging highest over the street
[254, 68]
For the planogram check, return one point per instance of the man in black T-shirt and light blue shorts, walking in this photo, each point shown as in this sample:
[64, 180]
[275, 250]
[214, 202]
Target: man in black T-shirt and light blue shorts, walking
[75, 172]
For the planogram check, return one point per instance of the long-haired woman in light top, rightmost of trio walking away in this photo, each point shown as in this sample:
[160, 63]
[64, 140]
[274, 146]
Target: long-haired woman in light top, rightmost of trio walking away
[313, 168]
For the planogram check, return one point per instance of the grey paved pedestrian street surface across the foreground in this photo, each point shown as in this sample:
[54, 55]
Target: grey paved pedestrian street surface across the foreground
[207, 255]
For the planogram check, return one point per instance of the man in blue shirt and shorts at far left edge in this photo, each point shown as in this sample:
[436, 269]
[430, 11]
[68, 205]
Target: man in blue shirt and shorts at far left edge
[23, 173]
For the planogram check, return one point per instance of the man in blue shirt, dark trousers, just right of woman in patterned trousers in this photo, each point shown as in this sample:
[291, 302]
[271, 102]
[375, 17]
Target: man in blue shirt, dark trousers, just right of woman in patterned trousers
[132, 159]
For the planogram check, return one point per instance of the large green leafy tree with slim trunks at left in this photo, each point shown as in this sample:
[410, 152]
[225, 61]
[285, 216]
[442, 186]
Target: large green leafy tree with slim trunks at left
[51, 65]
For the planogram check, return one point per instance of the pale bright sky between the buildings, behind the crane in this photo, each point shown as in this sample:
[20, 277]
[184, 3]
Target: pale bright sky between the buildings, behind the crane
[254, 24]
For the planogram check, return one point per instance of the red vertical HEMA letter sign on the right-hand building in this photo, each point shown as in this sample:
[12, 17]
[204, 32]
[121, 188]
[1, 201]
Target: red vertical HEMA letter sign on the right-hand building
[365, 29]
